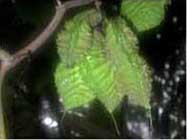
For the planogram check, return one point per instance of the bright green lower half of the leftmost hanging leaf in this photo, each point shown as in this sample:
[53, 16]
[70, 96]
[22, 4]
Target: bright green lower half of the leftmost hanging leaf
[71, 87]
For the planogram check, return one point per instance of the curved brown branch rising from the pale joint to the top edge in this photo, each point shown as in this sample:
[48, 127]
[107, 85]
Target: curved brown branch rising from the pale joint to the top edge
[37, 43]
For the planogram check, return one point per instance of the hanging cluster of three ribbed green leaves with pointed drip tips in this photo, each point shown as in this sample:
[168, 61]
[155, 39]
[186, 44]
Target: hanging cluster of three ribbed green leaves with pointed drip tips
[104, 67]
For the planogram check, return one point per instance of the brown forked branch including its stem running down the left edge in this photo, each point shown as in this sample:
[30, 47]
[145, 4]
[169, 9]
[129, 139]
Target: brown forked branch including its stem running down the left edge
[8, 62]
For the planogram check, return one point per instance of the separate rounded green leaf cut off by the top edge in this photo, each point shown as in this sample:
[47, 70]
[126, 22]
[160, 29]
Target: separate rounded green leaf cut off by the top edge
[144, 14]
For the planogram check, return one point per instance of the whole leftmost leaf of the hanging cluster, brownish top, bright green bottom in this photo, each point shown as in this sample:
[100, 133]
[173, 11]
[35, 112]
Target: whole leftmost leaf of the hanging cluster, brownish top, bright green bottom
[73, 43]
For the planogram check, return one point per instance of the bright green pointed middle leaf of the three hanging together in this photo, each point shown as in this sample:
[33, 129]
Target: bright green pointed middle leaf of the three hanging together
[100, 75]
